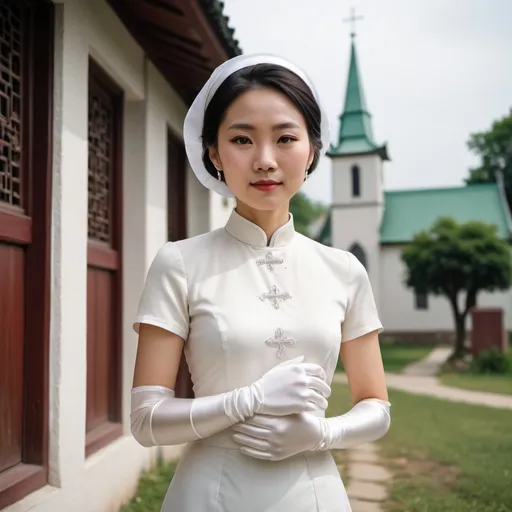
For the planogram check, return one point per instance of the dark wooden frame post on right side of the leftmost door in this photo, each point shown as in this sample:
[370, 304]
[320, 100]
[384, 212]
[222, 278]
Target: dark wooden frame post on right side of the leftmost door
[39, 251]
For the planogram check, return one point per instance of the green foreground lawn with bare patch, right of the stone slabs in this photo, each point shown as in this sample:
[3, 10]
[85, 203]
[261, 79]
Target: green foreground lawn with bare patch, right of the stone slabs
[446, 457]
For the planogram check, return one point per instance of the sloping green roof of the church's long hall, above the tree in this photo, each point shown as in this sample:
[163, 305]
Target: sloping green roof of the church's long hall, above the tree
[407, 212]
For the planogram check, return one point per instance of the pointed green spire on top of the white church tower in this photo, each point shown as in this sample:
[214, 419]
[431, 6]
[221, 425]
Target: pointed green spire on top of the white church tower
[356, 134]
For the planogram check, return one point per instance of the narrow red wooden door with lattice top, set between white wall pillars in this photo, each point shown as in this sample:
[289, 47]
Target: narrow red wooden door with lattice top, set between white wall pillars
[104, 300]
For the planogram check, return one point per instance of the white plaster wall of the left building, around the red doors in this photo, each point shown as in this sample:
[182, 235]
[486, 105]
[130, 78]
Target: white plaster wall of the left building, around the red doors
[83, 28]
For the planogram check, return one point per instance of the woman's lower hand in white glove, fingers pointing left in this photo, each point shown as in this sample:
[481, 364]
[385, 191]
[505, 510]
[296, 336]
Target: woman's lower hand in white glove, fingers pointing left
[277, 438]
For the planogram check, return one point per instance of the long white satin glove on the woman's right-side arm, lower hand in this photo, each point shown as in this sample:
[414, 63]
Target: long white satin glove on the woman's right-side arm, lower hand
[277, 438]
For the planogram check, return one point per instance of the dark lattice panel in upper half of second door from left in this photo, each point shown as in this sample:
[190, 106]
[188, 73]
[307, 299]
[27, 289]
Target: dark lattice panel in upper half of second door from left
[101, 143]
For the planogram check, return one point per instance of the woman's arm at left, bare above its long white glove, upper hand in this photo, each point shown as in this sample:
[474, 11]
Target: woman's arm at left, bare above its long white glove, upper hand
[158, 418]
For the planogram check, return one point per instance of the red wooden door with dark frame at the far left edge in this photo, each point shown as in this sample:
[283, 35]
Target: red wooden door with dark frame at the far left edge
[25, 211]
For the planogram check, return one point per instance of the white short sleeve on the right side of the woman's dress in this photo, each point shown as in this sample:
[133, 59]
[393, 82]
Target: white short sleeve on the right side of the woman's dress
[361, 316]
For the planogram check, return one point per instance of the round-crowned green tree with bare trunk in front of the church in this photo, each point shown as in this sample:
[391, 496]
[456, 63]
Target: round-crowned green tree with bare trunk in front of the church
[458, 261]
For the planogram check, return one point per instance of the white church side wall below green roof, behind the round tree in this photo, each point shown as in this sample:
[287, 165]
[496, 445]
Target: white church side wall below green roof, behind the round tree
[397, 305]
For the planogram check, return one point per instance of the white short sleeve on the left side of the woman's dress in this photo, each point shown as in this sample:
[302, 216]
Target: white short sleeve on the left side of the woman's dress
[164, 301]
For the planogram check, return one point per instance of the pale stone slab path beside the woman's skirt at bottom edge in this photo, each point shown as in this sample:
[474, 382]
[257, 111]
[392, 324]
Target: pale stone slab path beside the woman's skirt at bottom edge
[367, 479]
